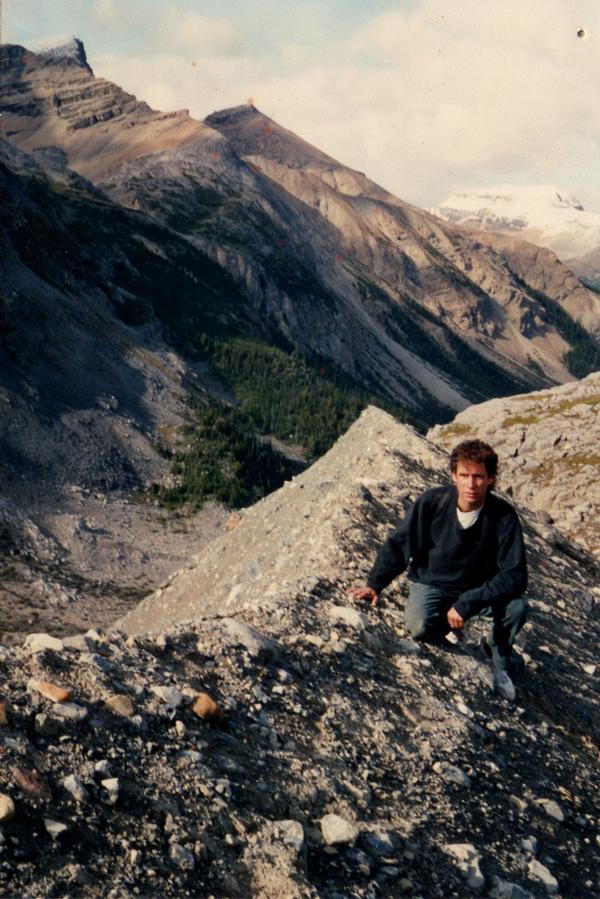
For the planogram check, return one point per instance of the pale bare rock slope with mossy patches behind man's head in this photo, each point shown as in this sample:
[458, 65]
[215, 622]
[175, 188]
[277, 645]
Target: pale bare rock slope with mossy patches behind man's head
[548, 442]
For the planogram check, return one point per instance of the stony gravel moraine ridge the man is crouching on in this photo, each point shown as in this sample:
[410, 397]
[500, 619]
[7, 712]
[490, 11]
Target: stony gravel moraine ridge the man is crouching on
[249, 732]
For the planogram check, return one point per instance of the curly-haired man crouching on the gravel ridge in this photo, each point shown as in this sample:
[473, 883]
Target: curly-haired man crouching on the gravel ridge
[463, 547]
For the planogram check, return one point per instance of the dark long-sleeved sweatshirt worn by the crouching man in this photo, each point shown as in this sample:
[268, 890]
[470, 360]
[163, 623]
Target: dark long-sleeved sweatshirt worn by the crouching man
[481, 565]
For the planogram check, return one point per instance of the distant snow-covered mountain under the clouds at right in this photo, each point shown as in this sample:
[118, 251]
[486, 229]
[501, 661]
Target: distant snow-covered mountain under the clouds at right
[541, 215]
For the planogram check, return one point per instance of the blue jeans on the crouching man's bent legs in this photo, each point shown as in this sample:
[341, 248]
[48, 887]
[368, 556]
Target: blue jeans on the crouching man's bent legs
[425, 618]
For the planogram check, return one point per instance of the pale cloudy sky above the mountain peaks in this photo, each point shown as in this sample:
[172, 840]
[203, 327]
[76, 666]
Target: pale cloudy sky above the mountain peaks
[426, 97]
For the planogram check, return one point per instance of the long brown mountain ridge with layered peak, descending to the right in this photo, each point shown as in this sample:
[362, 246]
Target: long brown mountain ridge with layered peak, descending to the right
[334, 267]
